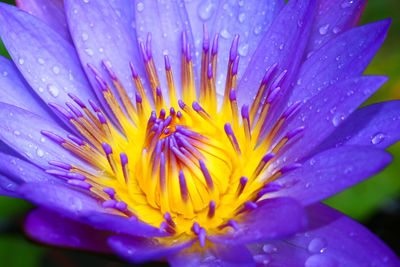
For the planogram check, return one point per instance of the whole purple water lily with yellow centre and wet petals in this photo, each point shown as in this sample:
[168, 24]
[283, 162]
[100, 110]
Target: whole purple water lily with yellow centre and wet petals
[121, 127]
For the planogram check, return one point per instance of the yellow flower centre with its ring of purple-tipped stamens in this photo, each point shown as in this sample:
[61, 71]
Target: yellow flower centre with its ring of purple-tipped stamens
[188, 163]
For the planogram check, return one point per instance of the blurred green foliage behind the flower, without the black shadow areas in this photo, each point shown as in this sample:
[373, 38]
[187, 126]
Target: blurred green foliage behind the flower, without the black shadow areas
[360, 202]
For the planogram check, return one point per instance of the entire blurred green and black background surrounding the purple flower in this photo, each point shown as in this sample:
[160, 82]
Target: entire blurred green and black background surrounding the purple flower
[374, 202]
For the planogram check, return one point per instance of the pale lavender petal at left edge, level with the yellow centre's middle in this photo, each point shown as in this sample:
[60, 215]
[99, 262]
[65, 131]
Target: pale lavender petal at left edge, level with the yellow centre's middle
[21, 130]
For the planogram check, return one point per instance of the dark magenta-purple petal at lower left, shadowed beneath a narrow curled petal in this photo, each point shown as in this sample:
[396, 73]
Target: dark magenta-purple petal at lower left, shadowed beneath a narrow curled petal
[50, 228]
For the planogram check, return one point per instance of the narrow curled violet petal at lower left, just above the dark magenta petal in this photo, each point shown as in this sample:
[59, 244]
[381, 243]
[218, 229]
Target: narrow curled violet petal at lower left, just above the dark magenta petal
[80, 206]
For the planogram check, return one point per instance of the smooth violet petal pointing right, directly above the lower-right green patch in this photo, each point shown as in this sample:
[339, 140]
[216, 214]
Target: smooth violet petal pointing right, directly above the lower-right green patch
[330, 172]
